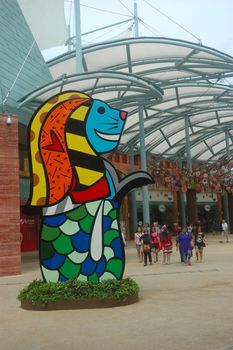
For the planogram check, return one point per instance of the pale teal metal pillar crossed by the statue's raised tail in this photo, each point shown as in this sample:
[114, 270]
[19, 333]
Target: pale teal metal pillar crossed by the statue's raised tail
[145, 192]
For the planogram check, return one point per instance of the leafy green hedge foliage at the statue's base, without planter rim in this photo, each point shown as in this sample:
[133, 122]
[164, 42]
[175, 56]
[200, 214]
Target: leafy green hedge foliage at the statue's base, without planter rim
[77, 290]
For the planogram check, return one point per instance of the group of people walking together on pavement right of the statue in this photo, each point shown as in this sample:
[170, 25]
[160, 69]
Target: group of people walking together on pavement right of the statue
[149, 241]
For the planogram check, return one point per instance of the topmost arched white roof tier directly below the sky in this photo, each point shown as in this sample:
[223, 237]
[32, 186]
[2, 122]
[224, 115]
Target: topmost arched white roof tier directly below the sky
[161, 59]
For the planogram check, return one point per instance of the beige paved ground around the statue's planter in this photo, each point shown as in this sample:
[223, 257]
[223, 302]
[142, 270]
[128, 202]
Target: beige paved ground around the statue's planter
[180, 308]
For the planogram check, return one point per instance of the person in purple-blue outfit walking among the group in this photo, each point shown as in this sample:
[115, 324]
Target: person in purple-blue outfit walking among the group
[185, 244]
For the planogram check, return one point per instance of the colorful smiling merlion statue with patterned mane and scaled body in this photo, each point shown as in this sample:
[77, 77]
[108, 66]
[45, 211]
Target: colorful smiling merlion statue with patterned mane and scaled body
[78, 191]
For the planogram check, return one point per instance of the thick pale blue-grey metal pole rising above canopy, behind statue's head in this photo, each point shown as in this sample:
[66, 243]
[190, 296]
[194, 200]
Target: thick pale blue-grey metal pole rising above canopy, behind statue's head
[79, 64]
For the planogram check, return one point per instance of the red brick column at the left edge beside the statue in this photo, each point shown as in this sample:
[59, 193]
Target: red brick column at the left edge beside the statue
[10, 252]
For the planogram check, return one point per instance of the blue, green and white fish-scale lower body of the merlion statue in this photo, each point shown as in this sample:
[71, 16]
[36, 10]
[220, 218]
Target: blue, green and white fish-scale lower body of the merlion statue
[65, 245]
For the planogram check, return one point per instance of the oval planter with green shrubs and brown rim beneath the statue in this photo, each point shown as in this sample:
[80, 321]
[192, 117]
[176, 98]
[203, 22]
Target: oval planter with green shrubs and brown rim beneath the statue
[73, 294]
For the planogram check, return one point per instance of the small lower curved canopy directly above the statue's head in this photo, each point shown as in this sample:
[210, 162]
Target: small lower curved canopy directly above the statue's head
[119, 89]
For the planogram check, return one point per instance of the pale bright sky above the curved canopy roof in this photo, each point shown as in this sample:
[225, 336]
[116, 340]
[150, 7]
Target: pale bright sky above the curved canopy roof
[207, 20]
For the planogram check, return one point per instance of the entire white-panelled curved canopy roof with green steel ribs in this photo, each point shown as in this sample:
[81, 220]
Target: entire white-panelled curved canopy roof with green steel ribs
[190, 75]
